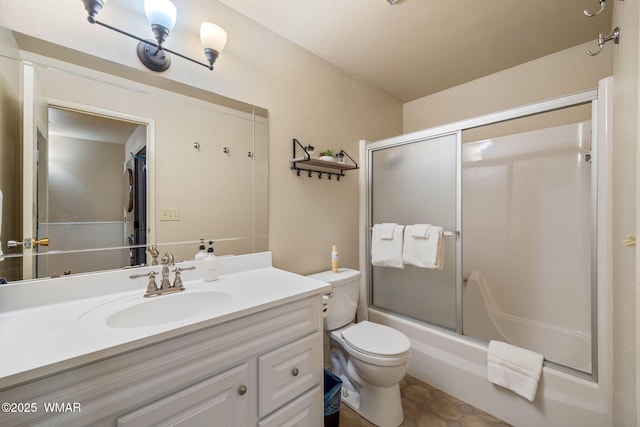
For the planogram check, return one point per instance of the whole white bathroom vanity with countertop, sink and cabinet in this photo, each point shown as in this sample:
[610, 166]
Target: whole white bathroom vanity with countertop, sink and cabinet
[250, 353]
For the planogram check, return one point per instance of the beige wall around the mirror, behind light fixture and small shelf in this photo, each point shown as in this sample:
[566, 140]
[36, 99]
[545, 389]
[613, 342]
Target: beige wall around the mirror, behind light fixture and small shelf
[307, 99]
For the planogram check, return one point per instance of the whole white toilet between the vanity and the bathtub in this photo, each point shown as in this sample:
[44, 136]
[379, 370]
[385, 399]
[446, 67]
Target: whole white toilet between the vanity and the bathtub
[370, 358]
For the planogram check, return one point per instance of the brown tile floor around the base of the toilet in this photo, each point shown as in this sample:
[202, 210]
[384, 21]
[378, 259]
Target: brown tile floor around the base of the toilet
[426, 406]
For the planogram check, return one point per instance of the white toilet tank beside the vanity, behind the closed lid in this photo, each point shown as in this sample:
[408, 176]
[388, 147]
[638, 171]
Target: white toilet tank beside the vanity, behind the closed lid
[345, 285]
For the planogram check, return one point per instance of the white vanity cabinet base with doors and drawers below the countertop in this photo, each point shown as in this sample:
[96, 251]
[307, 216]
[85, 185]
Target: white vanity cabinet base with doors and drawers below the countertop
[264, 368]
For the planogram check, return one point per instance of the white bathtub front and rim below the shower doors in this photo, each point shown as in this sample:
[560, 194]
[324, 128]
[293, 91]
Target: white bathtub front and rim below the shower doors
[457, 365]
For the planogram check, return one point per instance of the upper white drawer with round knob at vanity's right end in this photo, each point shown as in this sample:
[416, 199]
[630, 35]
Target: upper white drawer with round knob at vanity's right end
[288, 372]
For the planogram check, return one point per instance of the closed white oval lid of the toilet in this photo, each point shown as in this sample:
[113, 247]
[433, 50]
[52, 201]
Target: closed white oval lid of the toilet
[374, 338]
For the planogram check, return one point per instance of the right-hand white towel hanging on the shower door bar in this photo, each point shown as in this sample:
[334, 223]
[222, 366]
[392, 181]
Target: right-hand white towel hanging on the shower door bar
[424, 246]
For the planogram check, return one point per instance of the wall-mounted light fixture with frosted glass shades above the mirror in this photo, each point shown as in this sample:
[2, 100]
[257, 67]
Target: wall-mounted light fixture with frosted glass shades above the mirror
[162, 14]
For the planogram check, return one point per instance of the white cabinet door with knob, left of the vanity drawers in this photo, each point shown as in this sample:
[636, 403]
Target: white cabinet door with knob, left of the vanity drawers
[223, 400]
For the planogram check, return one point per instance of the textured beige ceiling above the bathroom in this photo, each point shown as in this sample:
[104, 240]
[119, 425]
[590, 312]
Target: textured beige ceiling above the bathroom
[418, 47]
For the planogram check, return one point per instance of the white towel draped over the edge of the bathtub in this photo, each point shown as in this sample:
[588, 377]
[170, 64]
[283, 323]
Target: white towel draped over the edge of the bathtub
[515, 368]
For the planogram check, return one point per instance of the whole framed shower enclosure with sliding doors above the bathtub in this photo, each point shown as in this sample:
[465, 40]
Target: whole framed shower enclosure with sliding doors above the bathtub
[516, 195]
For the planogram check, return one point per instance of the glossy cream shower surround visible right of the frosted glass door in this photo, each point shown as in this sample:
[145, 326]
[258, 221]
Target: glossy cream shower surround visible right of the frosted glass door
[527, 243]
